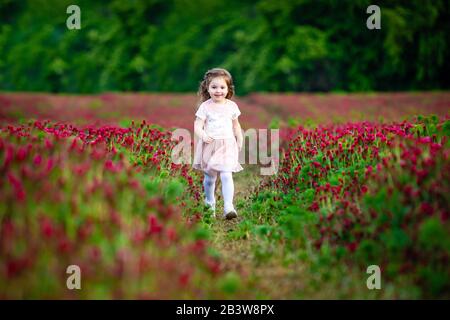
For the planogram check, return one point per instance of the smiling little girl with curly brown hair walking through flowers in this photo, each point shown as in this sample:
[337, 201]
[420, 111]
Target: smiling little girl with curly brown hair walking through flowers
[217, 126]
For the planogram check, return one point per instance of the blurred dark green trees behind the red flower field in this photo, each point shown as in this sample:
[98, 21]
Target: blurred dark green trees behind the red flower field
[268, 45]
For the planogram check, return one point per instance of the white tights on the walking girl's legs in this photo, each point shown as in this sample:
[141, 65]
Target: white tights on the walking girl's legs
[209, 183]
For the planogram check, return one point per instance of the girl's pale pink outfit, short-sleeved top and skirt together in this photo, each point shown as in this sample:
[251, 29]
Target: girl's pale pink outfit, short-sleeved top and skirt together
[222, 154]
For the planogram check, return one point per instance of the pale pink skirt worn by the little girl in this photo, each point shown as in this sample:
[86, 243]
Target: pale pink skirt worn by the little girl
[219, 155]
